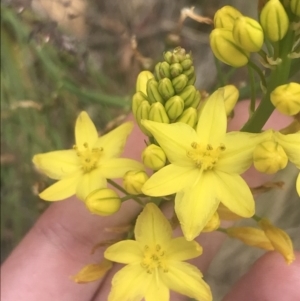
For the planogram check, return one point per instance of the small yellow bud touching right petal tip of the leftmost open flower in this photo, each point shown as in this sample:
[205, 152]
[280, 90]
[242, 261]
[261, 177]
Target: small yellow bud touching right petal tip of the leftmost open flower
[134, 180]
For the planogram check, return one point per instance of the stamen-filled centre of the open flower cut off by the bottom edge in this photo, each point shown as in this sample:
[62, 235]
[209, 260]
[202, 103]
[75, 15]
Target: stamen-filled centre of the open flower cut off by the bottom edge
[154, 258]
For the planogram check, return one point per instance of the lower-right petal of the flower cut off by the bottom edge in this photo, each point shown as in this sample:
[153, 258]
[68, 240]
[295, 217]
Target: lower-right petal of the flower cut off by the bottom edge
[187, 280]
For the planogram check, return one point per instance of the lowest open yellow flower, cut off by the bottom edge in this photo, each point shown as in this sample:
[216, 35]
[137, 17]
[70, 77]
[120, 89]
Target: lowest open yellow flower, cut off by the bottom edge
[154, 263]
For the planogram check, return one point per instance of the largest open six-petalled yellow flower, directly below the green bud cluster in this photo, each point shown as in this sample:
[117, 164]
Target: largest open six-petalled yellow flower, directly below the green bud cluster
[205, 166]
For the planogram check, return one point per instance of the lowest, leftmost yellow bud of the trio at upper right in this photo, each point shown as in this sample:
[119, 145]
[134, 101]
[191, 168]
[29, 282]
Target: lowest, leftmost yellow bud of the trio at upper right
[225, 48]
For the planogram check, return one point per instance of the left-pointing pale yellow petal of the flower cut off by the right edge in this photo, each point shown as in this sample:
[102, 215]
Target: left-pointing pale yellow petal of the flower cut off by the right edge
[291, 146]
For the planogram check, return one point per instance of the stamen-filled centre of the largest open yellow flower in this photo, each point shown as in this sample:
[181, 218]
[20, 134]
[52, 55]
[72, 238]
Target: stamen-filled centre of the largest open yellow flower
[204, 155]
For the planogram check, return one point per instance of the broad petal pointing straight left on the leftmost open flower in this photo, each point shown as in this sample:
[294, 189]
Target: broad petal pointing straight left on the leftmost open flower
[58, 164]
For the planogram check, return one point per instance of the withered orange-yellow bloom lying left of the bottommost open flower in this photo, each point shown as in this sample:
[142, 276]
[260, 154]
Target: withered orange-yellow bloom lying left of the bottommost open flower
[92, 272]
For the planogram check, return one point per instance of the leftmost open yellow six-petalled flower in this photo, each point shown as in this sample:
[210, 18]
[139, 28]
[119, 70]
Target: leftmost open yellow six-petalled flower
[86, 167]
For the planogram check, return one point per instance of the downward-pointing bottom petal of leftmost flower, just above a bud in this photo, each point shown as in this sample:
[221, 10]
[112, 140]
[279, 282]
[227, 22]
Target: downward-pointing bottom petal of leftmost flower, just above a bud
[89, 182]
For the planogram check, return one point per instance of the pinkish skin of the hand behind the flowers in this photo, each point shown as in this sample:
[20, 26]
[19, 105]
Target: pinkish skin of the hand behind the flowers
[60, 243]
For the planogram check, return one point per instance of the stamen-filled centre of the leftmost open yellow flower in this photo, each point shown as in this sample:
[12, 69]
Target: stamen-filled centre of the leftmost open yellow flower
[89, 157]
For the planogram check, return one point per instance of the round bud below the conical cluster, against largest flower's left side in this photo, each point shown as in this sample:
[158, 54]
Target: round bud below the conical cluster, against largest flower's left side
[154, 157]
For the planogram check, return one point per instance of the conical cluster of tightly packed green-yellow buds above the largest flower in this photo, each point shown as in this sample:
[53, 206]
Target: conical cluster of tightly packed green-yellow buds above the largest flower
[168, 95]
